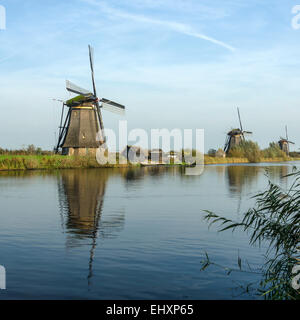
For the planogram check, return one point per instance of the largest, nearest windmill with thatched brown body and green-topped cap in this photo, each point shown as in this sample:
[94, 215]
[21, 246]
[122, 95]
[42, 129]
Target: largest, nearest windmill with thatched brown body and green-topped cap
[81, 131]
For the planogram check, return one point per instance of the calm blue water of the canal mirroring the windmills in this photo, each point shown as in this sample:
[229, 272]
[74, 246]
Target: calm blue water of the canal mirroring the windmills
[126, 234]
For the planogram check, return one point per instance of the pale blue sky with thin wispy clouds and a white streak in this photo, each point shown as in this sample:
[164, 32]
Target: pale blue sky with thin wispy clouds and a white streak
[174, 63]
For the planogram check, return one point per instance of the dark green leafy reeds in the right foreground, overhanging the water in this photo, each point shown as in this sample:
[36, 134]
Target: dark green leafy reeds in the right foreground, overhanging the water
[275, 222]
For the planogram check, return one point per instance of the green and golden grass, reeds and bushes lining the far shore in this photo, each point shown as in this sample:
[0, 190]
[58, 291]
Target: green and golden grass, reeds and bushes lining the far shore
[33, 158]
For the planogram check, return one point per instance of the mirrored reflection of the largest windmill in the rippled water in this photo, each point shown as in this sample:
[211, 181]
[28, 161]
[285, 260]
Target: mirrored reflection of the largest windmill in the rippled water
[81, 199]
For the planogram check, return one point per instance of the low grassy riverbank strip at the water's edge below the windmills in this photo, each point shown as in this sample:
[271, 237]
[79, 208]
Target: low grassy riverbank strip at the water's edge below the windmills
[35, 162]
